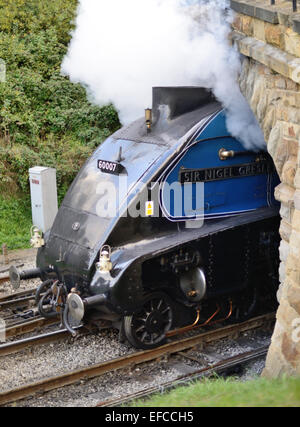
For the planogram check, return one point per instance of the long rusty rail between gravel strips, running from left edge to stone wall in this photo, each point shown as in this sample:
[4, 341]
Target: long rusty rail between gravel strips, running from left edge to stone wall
[137, 358]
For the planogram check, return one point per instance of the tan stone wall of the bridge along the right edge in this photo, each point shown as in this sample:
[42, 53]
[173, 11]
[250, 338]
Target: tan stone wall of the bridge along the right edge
[269, 39]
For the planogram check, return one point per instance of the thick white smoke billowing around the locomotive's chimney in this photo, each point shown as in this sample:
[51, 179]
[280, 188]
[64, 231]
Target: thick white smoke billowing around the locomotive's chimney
[120, 49]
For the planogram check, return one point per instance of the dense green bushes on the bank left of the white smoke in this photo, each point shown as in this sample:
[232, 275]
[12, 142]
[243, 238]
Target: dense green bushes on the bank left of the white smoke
[44, 118]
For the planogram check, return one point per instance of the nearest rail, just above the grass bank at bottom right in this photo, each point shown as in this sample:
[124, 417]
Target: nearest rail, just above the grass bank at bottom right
[217, 368]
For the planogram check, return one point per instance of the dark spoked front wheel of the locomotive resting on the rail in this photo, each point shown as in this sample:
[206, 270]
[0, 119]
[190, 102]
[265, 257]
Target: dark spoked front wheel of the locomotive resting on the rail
[147, 327]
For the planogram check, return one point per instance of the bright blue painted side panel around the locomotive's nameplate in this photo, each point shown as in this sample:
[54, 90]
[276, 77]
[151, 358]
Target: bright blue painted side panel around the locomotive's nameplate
[224, 197]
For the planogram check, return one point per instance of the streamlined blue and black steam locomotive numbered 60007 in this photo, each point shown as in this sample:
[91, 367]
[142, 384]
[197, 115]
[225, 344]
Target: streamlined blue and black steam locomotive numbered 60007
[170, 223]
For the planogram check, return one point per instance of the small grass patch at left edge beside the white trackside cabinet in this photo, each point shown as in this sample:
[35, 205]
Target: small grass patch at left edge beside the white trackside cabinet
[15, 222]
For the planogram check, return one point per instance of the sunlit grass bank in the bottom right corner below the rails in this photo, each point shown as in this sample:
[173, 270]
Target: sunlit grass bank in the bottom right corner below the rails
[260, 392]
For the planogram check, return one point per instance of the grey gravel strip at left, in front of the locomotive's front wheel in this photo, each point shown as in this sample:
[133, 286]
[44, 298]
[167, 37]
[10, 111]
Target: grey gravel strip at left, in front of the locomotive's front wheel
[48, 360]
